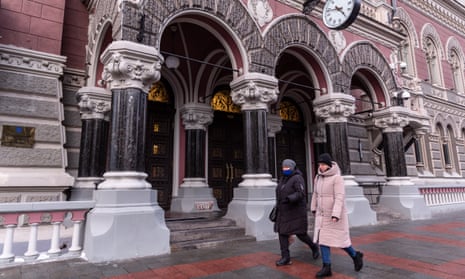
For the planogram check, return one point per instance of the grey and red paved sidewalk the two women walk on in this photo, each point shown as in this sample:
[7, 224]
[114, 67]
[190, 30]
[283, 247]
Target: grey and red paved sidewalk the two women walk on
[406, 249]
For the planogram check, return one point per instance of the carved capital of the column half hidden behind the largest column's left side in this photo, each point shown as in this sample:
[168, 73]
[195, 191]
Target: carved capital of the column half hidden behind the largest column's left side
[94, 103]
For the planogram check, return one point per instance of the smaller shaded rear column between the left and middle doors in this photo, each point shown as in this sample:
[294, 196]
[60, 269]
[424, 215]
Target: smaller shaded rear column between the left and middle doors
[194, 195]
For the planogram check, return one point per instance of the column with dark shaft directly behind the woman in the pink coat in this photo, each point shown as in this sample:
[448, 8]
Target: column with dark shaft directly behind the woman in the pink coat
[335, 109]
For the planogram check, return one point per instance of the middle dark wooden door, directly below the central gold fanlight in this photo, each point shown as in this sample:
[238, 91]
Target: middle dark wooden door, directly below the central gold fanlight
[225, 155]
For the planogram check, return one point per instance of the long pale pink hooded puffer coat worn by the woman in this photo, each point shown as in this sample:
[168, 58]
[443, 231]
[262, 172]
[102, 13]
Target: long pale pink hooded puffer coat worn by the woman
[328, 199]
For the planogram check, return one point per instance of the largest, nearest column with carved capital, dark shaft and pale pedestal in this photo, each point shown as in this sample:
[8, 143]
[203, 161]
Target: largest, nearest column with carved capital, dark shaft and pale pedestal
[125, 201]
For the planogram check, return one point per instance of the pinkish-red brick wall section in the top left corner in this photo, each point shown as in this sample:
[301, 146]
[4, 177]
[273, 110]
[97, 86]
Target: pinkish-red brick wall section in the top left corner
[32, 24]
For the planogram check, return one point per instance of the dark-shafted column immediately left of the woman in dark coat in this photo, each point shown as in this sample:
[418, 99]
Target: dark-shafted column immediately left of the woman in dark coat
[255, 196]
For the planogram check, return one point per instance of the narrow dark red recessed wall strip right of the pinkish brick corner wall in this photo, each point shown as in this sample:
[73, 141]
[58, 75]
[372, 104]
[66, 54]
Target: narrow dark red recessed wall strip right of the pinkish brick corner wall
[75, 34]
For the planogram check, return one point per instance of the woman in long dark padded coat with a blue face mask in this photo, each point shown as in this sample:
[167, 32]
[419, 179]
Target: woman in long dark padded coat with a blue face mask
[292, 211]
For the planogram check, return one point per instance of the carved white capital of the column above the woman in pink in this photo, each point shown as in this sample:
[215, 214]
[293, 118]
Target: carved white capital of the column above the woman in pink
[334, 107]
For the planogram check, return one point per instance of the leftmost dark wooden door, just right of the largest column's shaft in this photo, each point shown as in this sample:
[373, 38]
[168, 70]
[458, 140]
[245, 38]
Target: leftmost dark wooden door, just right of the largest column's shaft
[159, 150]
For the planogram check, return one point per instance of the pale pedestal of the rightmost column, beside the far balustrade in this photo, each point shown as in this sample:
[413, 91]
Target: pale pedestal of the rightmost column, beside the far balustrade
[402, 196]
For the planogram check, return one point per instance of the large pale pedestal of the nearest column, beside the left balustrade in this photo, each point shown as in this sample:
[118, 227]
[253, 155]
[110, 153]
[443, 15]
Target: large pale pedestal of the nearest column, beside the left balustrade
[125, 224]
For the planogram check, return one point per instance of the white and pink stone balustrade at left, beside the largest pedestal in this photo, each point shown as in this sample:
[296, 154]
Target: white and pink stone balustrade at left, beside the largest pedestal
[25, 220]
